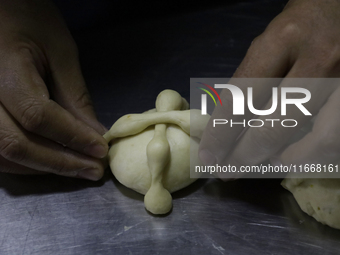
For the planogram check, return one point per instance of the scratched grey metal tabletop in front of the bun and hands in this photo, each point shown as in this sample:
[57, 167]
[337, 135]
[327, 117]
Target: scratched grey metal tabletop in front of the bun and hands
[54, 215]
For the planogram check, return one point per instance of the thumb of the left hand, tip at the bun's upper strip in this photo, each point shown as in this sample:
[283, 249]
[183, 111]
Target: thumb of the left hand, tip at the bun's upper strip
[69, 90]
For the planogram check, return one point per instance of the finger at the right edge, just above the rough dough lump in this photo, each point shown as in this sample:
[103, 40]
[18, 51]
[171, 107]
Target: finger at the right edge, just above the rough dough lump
[322, 144]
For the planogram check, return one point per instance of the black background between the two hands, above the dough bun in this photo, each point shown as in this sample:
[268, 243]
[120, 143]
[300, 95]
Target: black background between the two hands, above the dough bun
[132, 50]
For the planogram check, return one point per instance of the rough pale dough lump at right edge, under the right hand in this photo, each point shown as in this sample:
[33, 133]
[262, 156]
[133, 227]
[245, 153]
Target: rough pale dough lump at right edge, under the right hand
[320, 198]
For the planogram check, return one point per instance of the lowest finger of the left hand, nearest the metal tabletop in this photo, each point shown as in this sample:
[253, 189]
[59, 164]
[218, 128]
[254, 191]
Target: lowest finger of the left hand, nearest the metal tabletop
[32, 151]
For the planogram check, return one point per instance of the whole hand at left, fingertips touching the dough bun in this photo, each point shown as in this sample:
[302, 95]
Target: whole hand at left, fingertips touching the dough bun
[46, 117]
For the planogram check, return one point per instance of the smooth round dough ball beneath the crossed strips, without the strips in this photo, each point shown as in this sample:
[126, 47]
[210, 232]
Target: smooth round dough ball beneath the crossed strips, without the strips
[128, 160]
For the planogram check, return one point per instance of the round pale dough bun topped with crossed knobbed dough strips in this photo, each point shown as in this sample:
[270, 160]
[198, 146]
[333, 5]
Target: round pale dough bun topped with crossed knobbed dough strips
[150, 152]
